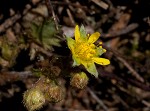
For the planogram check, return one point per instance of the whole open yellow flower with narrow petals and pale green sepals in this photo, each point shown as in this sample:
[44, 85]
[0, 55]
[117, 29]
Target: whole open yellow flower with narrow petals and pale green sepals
[85, 52]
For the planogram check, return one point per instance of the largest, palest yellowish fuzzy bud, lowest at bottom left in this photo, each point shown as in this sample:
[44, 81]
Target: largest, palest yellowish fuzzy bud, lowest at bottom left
[33, 99]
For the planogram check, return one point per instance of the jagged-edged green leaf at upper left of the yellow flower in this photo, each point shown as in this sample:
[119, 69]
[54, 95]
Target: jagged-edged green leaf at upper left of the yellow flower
[45, 34]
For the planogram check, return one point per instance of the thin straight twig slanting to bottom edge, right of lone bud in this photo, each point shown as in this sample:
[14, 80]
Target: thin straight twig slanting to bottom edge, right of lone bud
[97, 99]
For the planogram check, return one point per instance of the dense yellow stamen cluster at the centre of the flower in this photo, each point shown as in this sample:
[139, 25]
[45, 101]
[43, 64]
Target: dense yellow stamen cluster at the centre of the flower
[84, 51]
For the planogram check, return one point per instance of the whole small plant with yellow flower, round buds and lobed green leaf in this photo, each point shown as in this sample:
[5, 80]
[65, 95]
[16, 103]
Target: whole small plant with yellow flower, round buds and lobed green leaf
[83, 51]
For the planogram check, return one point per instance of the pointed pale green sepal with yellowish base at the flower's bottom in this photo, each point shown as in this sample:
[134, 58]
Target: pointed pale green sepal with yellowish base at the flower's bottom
[90, 67]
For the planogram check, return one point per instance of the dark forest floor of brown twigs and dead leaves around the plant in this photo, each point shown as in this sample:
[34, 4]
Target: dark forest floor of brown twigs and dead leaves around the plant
[124, 25]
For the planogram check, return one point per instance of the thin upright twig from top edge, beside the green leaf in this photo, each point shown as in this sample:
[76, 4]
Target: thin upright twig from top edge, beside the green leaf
[50, 9]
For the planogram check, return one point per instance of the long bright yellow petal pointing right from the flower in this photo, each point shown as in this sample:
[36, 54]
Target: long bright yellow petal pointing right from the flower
[101, 61]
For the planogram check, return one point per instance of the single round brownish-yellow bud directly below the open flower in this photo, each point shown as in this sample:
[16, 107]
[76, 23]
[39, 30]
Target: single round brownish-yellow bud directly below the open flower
[79, 80]
